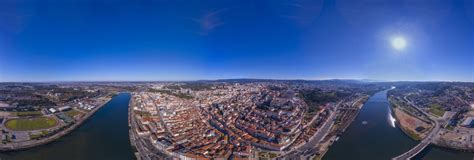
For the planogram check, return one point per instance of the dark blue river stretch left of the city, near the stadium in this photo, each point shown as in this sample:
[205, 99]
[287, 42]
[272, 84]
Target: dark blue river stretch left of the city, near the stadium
[102, 136]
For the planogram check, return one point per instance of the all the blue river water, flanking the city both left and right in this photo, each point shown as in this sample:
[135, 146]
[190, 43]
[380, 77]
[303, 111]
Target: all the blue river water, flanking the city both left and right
[105, 136]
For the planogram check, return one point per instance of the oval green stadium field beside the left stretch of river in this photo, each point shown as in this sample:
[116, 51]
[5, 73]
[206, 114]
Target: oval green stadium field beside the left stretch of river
[26, 124]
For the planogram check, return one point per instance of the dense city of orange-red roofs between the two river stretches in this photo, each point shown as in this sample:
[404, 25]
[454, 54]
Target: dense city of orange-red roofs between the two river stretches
[243, 119]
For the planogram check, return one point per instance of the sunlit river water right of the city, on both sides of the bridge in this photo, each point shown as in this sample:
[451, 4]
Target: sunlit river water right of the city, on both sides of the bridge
[380, 139]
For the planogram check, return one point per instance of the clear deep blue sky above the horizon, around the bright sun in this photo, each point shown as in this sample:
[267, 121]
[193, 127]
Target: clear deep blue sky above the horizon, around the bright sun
[81, 40]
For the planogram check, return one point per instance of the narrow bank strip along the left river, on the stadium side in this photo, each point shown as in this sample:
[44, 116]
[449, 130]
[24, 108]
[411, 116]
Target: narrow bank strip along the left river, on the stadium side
[15, 146]
